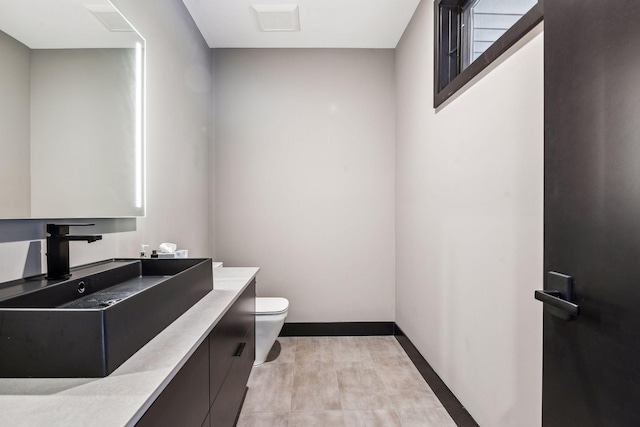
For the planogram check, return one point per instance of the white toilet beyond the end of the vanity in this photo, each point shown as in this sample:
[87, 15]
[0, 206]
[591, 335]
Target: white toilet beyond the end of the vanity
[270, 315]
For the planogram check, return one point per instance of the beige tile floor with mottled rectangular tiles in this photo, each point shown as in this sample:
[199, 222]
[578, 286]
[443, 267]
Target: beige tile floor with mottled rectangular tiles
[340, 382]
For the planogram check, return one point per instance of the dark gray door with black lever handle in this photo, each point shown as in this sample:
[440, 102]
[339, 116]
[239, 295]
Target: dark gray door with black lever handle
[592, 212]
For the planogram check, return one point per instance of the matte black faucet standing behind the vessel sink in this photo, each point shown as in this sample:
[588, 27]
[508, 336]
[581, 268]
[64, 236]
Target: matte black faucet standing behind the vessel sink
[58, 249]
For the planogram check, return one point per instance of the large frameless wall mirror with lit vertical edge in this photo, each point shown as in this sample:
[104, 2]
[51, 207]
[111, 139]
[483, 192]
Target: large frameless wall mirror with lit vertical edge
[71, 111]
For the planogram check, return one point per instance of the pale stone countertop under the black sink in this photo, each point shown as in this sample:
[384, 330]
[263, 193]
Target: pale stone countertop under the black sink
[121, 398]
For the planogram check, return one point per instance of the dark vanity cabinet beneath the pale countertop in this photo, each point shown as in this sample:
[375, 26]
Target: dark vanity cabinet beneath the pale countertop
[209, 389]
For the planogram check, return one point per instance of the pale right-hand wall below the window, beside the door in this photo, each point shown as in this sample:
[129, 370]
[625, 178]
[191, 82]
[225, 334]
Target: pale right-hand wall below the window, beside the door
[469, 227]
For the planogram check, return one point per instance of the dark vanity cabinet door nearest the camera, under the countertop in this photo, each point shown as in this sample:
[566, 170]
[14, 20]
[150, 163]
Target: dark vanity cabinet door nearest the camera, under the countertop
[185, 401]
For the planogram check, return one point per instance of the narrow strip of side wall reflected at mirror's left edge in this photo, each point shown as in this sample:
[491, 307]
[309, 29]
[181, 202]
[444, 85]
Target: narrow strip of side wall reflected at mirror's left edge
[14, 127]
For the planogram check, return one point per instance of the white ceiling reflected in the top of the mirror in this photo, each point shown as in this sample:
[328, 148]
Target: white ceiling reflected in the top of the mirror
[60, 24]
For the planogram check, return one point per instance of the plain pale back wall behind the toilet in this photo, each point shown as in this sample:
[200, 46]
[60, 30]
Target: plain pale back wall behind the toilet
[304, 177]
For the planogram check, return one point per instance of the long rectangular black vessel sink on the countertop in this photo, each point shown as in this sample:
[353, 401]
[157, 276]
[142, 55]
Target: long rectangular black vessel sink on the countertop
[89, 324]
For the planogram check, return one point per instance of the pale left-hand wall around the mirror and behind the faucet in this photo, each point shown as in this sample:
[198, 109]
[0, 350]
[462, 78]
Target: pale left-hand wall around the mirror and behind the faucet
[178, 112]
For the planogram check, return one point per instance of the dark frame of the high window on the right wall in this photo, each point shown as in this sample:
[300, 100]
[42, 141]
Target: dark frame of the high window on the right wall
[447, 17]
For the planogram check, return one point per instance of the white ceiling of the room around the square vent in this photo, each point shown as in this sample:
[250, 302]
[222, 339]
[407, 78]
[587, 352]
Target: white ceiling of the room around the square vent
[375, 24]
